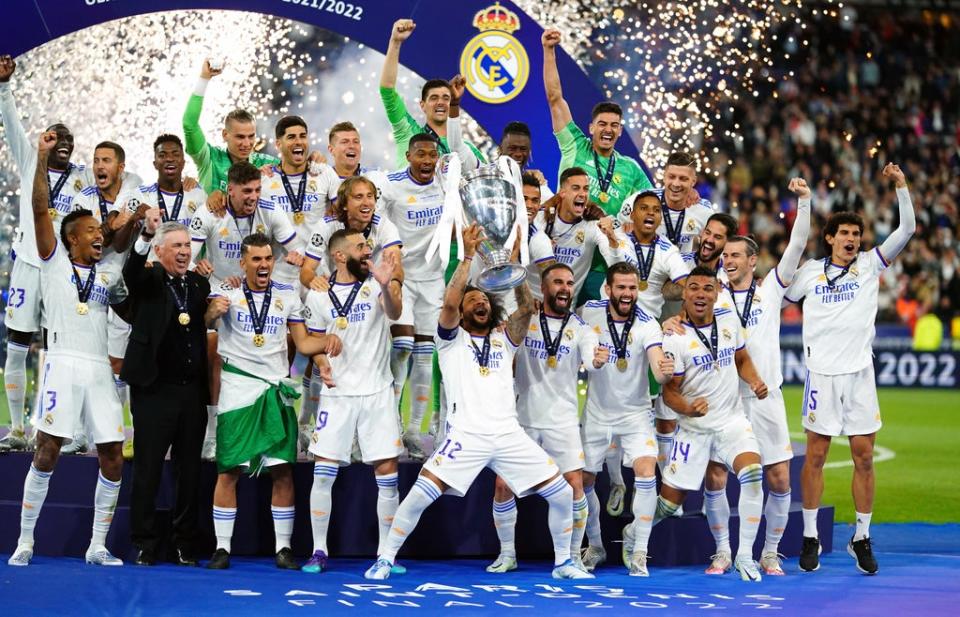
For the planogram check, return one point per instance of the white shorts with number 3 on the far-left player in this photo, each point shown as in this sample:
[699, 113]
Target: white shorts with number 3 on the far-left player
[78, 393]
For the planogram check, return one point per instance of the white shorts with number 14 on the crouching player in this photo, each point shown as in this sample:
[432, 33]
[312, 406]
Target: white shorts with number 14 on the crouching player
[692, 451]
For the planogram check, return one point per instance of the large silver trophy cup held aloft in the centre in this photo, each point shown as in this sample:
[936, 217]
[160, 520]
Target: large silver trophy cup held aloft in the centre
[490, 199]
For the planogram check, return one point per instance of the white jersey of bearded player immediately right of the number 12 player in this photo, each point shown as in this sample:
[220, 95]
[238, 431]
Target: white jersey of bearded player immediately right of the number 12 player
[548, 396]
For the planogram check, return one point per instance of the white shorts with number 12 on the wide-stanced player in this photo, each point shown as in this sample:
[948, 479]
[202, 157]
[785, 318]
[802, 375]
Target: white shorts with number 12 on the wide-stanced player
[513, 456]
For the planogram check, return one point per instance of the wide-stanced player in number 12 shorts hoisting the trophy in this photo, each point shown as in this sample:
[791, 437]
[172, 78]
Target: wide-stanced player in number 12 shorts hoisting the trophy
[477, 354]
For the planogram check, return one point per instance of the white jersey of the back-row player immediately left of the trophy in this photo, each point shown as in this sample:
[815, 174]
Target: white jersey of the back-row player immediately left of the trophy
[415, 209]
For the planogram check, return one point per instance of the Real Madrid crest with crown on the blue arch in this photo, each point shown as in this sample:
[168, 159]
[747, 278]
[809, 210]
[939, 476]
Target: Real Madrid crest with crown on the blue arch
[494, 62]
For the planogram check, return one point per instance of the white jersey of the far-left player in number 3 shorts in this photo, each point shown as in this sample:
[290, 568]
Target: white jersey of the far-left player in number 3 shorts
[67, 330]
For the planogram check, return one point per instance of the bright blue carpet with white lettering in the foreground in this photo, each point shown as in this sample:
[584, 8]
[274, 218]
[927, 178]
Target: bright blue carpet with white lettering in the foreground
[918, 575]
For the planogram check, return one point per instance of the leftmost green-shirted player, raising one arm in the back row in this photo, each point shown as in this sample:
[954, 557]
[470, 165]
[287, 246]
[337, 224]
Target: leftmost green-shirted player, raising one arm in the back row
[239, 133]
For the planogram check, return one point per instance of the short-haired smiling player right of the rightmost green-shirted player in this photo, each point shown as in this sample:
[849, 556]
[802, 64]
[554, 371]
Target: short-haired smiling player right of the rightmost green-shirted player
[683, 213]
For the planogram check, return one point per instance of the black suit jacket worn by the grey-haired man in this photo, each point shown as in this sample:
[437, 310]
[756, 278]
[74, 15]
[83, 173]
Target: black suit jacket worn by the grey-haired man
[152, 310]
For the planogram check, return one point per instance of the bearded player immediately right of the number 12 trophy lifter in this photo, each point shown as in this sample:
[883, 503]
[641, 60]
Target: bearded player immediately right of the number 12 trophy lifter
[553, 349]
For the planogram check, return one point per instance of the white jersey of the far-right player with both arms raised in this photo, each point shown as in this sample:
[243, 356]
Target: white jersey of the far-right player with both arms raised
[838, 321]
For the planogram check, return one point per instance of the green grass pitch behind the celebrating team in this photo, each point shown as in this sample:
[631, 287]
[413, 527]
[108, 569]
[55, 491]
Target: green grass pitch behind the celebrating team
[918, 456]
